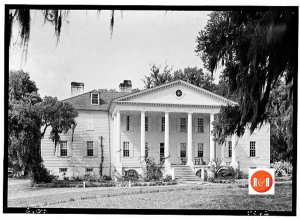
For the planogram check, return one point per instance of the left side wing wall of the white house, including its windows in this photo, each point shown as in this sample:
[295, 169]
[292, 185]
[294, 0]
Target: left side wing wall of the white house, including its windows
[82, 155]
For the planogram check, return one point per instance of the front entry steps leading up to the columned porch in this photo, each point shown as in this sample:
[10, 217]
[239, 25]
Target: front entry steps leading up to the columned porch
[184, 174]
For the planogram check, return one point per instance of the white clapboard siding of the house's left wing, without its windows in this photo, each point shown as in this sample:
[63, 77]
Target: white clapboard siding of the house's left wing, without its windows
[80, 136]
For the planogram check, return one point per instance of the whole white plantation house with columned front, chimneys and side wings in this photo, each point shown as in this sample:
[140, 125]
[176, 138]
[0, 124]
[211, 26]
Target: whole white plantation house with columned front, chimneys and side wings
[170, 123]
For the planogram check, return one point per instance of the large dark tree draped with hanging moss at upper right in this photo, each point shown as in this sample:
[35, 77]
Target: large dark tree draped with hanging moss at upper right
[256, 48]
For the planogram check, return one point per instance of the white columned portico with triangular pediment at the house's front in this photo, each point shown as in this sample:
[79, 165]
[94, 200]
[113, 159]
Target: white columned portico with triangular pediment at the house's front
[179, 129]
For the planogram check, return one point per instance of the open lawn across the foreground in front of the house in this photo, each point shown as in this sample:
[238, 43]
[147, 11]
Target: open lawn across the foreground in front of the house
[206, 196]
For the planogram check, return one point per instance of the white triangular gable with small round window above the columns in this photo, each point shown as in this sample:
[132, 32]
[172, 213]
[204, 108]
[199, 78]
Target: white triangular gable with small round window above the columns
[166, 94]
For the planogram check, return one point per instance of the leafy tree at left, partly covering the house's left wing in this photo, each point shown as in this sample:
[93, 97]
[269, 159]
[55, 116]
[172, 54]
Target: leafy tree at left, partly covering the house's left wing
[27, 114]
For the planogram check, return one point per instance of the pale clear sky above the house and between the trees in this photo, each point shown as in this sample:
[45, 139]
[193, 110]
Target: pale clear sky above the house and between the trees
[86, 51]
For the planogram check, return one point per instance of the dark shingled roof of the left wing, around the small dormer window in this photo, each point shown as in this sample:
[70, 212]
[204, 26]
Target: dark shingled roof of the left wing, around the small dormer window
[83, 101]
